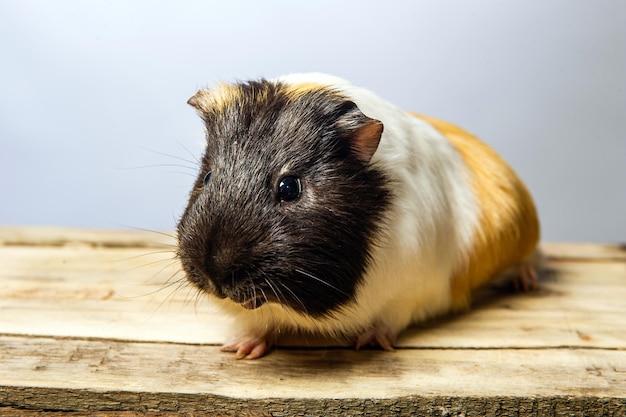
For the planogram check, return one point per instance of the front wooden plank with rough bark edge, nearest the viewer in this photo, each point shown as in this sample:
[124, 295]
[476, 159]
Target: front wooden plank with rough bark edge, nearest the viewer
[295, 376]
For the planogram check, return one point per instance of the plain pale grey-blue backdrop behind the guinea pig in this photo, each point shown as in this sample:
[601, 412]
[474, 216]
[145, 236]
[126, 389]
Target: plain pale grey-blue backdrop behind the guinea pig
[93, 120]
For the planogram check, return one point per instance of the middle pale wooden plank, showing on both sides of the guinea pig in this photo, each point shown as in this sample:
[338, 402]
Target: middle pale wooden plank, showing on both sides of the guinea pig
[121, 293]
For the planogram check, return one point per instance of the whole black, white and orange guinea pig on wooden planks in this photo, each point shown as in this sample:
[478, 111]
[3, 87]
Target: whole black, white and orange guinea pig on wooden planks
[322, 209]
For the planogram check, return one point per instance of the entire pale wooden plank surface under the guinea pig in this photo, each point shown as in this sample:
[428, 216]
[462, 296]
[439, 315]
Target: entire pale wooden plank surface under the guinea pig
[103, 322]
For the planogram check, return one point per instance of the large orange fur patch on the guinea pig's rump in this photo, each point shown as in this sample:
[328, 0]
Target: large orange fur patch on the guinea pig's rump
[508, 229]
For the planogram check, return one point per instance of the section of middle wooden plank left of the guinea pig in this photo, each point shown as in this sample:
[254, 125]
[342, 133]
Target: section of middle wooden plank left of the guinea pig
[116, 293]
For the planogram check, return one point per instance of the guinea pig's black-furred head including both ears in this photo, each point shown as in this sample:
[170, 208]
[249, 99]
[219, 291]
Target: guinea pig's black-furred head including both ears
[286, 204]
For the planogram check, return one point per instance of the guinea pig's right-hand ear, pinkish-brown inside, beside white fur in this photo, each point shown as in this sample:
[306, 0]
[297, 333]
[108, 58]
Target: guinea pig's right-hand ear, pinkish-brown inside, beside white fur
[364, 133]
